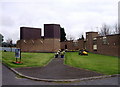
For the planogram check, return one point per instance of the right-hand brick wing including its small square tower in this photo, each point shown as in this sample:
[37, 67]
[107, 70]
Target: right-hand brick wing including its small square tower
[108, 45]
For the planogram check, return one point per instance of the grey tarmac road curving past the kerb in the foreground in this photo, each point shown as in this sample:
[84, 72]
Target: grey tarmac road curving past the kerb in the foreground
[9, 78]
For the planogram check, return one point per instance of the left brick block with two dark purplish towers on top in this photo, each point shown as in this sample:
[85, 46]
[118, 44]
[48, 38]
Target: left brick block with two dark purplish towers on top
[31, 40]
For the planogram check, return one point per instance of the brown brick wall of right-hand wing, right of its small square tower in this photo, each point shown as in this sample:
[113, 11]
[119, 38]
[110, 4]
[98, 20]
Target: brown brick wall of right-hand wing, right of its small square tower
[111, 48]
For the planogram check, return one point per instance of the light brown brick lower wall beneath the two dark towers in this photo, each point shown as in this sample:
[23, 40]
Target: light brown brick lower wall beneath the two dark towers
[39, 45]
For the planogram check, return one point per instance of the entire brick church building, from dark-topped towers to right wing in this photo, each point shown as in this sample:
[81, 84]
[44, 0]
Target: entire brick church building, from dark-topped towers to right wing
[32, 41]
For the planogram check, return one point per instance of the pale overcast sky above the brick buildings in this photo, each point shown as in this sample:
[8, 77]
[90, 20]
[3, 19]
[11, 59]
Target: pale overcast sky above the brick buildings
[76, 16]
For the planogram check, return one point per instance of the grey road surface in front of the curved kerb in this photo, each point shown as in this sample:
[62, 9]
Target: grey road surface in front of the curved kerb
[10, 79]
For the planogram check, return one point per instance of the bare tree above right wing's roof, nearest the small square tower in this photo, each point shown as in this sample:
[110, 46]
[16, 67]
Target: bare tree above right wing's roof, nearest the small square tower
[105, 30]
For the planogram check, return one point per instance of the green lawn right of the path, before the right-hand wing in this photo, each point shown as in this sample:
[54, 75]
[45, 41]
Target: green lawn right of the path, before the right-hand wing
[99, 63]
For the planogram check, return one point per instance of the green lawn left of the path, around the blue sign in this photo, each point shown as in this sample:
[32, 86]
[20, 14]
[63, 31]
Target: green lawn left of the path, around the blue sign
[28, 59]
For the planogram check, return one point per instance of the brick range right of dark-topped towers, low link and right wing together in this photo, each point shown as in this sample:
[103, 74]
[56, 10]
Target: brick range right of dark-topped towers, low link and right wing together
[94, 43]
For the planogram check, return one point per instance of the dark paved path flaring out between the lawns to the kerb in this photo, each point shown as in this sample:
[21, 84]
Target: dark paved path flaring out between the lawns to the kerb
[56, 69]
